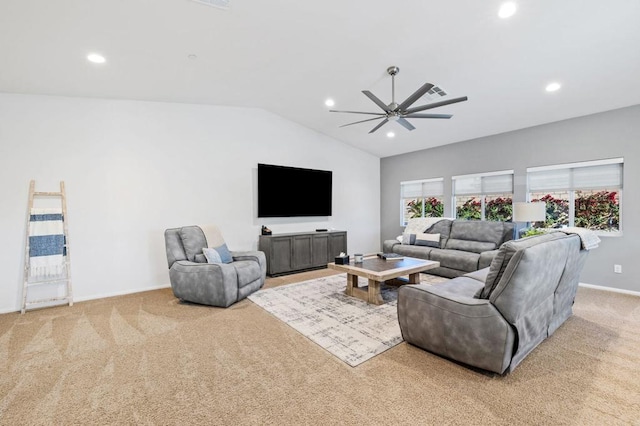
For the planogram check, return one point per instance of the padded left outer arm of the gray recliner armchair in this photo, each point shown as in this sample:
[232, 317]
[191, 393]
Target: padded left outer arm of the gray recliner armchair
[212, 284]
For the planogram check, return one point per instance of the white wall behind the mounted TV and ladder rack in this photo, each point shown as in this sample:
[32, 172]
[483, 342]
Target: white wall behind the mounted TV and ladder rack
[133, 169]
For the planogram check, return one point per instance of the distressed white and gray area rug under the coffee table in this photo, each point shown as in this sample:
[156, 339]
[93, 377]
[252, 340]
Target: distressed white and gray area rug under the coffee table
[349, 328]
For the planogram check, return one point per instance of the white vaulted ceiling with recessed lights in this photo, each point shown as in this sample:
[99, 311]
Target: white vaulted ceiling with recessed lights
[289, 56]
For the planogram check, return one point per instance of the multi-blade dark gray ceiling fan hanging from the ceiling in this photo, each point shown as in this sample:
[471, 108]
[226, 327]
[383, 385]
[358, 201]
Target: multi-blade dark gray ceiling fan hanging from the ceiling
[400, 112]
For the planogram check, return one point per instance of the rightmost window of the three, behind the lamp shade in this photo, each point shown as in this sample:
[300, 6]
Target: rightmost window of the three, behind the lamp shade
[579, 194]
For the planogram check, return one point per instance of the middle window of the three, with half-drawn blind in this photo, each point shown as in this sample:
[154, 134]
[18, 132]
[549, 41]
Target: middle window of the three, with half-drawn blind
[484, 196]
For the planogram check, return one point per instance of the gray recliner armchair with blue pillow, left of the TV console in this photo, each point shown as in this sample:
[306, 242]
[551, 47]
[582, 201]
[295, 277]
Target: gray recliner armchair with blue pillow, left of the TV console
[195, 280]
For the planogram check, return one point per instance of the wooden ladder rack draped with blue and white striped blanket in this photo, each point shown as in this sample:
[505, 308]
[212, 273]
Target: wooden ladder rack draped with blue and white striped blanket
[47, 254]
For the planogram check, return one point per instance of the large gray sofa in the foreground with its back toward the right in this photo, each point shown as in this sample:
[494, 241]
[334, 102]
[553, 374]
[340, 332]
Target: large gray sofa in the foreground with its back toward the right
[493, 318]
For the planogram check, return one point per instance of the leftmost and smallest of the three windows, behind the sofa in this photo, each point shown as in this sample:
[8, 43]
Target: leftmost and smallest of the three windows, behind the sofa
[421, 198]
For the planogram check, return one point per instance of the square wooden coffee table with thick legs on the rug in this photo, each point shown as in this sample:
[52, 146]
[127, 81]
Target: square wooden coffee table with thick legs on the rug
[377, 271]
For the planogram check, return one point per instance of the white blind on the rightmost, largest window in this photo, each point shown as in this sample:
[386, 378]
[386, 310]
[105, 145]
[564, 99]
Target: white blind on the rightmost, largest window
[576, 176]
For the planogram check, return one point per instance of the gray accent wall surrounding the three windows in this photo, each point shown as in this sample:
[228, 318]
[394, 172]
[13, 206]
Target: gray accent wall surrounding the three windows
[606, 135]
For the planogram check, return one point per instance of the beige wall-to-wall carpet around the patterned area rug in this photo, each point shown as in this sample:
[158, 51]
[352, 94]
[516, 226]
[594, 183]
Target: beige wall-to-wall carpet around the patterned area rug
[146, 359]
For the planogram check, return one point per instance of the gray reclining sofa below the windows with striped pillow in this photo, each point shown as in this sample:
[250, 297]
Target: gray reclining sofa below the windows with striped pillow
[465, 245]
